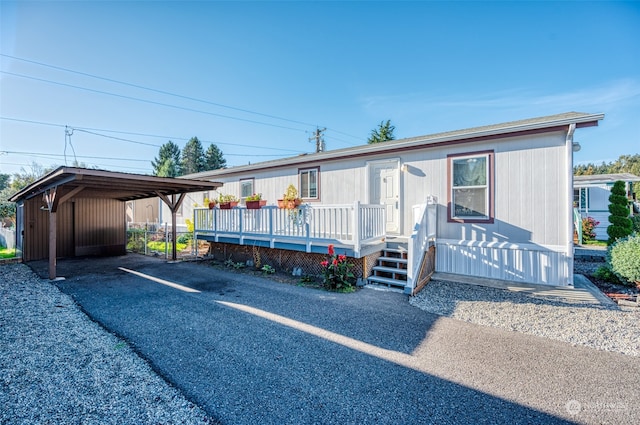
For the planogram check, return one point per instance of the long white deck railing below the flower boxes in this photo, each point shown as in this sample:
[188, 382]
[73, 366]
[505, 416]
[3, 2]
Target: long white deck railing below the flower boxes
[352, 225]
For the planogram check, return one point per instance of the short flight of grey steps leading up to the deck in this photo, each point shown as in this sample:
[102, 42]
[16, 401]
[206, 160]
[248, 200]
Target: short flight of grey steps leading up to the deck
[391, 267]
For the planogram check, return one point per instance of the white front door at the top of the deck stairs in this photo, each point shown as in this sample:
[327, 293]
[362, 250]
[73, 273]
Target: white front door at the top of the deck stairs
[385, 190]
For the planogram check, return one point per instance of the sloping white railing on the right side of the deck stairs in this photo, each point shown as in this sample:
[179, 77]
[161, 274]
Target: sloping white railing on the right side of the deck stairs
[424, 231]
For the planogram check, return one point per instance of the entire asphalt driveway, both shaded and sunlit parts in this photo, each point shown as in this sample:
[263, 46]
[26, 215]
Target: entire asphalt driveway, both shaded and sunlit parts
[250, 350]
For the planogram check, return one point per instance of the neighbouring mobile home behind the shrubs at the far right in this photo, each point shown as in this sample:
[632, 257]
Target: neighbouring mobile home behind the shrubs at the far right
[591, 197]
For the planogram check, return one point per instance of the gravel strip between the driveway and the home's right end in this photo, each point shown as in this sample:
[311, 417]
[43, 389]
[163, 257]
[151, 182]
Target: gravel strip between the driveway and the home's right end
[604, 328]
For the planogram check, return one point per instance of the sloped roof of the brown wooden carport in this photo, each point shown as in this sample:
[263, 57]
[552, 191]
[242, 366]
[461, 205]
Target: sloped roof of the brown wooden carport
[88, 183]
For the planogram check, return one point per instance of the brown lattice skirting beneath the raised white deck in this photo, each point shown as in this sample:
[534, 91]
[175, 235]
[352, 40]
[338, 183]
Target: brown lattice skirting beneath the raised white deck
[286, 260]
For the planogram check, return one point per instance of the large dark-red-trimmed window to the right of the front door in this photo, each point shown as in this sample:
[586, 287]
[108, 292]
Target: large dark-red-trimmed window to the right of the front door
[470, 182]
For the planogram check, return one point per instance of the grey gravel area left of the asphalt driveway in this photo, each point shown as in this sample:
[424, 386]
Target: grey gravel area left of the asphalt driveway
[60, 367]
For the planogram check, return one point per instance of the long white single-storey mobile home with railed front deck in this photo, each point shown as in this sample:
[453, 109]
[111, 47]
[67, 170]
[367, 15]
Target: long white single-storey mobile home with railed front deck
[502, 195]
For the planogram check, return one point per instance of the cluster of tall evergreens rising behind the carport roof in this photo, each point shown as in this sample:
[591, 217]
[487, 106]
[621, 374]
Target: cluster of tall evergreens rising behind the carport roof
[171, 162]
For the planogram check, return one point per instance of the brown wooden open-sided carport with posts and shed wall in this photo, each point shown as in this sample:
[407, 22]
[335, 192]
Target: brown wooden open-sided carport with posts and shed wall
[86, 211]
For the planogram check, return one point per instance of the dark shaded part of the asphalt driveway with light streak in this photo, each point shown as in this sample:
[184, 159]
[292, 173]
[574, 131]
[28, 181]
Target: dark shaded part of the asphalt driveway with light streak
[248, 350]
